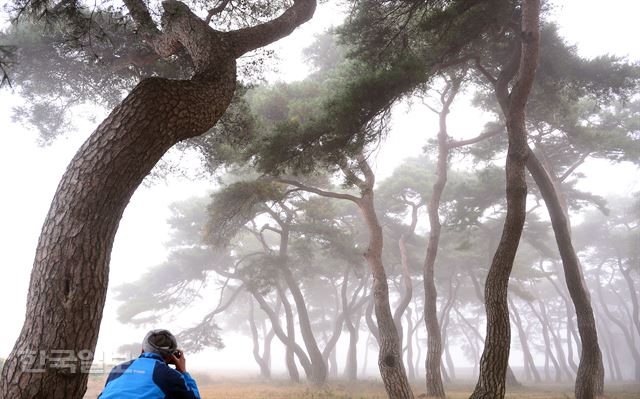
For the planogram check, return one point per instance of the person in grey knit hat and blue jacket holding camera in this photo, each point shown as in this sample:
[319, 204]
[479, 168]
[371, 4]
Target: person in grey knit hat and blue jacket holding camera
[149, 376]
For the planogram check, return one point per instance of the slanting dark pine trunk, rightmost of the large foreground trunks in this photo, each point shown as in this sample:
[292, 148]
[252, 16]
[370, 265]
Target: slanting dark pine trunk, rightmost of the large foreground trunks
[590, 376]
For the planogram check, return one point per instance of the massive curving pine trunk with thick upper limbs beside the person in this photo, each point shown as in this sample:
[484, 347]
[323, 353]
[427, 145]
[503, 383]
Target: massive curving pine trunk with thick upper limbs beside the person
[70, 273]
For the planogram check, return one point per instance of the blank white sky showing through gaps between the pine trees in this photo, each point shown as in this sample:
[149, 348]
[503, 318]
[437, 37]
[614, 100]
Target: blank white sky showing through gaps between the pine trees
[29, 175]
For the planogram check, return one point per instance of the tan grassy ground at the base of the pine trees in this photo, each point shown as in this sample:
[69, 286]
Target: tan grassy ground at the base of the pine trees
[256, 389]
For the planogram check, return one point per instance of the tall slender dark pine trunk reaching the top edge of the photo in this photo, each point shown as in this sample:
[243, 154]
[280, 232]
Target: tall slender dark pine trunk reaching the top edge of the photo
[494, 360]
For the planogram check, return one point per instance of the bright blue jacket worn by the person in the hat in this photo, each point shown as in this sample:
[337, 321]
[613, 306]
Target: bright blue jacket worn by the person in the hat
[148, 377]
